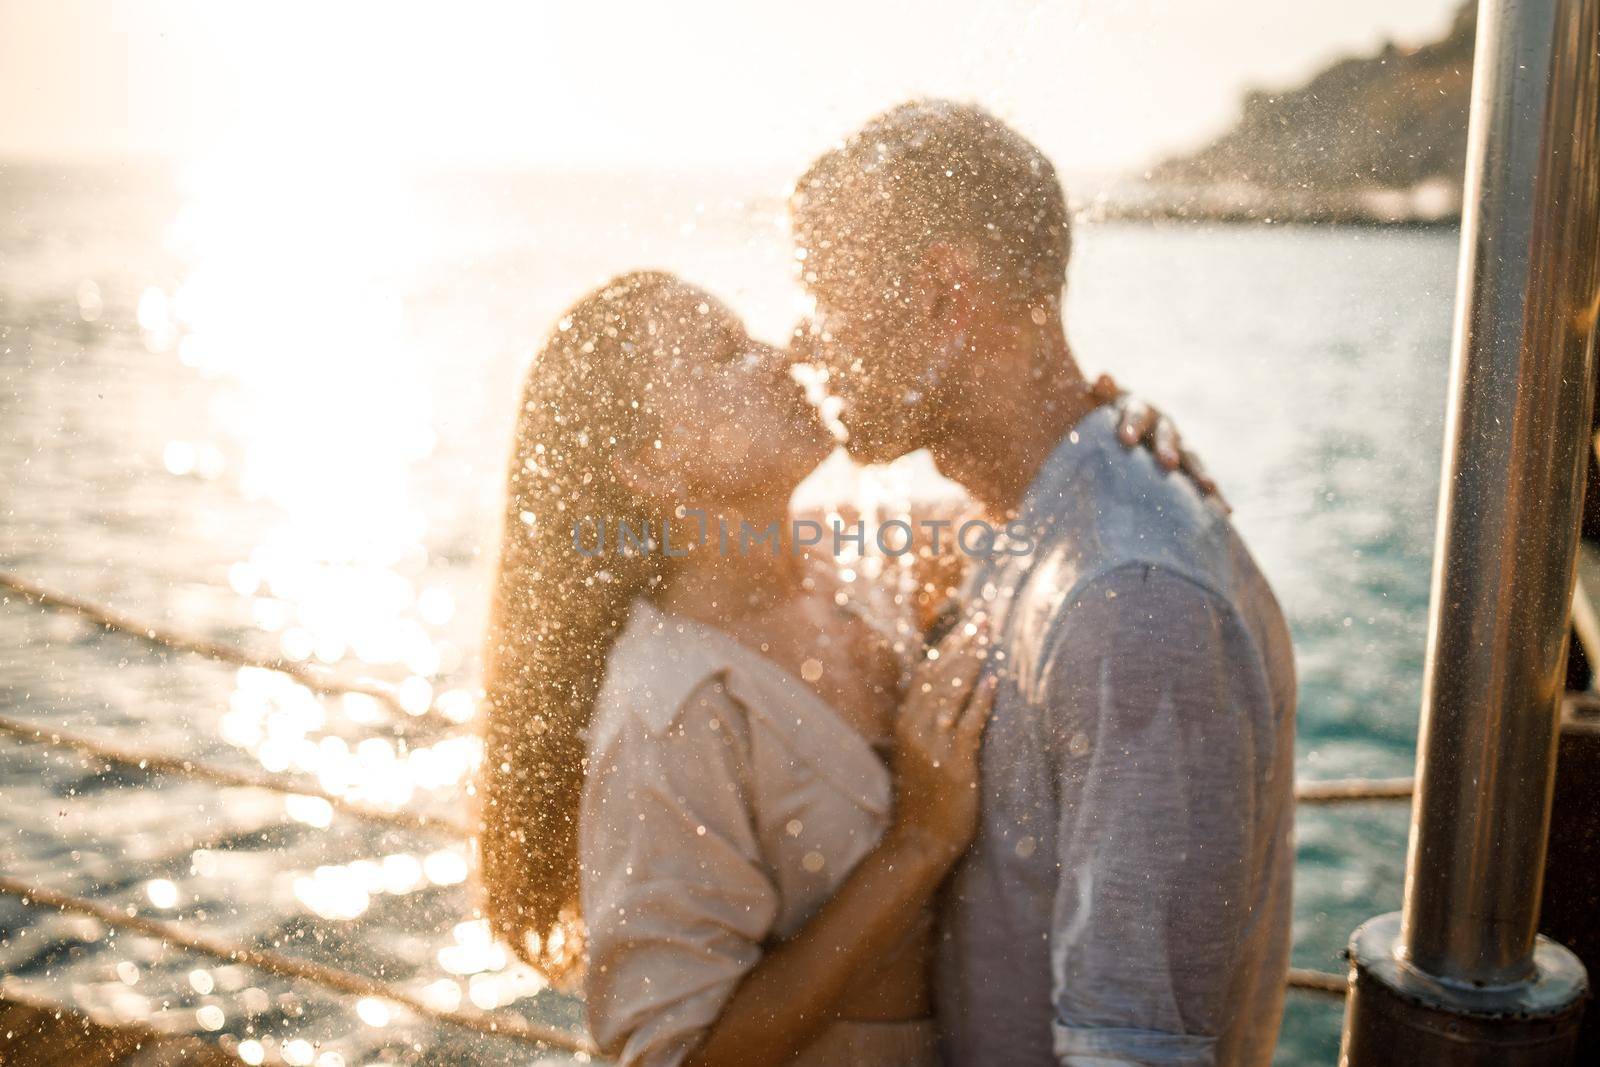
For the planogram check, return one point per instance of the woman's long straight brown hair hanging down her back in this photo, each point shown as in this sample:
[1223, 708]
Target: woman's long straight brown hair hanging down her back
[556, 612]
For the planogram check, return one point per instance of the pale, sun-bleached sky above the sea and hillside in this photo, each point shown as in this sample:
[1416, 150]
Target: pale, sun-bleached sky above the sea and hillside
[1103, 86]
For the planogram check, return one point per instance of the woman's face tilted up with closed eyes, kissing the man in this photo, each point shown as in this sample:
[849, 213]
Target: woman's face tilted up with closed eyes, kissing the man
[735, 426]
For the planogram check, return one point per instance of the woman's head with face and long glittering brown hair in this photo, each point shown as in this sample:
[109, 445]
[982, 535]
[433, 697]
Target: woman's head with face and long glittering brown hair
[649, 398]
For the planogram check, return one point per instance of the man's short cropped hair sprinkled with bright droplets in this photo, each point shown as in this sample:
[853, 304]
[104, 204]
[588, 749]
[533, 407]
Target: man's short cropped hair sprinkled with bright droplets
[924, 172]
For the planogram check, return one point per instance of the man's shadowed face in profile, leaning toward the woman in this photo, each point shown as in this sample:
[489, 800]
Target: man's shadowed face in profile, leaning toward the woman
[886, 362]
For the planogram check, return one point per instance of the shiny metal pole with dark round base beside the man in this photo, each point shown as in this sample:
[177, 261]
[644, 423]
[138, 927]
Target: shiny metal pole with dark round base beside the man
[1463, 959]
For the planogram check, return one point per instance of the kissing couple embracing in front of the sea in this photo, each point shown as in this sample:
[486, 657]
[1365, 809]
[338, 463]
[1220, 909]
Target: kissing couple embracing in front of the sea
[974, 807]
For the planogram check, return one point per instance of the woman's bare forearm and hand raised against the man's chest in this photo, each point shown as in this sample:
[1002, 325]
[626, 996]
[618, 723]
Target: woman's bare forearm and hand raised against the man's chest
[798, 988]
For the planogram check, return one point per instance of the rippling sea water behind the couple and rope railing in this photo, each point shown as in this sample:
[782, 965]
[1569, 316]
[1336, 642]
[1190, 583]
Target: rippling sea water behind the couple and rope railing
[271, 406]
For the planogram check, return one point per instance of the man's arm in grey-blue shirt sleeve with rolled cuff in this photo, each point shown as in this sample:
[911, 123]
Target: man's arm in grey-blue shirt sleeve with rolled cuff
[1161, 729]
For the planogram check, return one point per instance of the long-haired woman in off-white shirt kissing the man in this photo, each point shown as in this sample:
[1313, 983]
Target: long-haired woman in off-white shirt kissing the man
[686, 756]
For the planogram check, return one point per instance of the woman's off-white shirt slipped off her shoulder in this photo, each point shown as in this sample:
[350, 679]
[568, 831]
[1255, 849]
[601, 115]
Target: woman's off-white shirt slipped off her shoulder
[724, 804]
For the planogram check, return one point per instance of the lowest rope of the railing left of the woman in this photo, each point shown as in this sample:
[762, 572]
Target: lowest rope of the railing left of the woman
[337, 980]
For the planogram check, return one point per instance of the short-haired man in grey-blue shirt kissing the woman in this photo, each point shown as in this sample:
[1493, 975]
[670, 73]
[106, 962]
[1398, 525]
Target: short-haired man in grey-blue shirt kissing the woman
[1127, 900]
